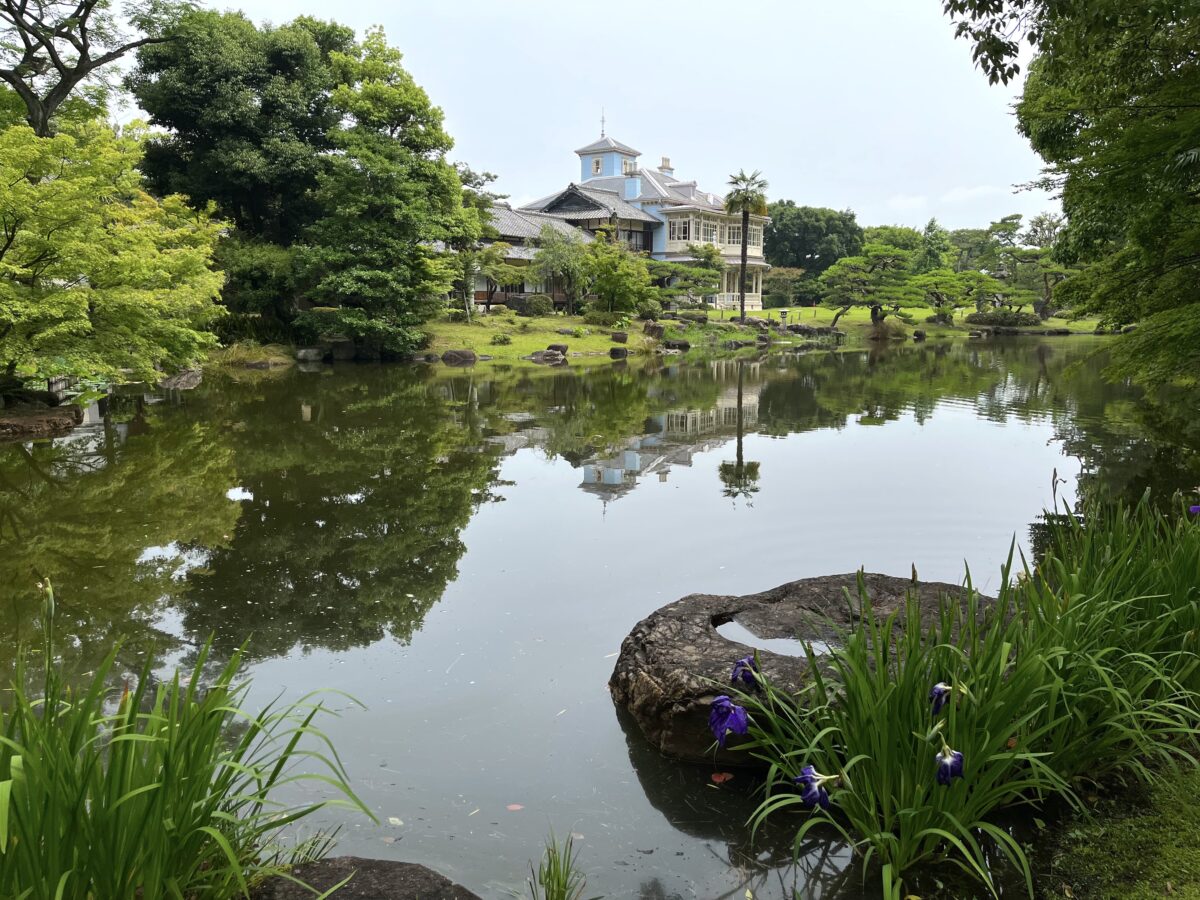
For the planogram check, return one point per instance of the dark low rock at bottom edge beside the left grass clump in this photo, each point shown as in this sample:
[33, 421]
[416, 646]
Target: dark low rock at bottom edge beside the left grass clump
[373, 880]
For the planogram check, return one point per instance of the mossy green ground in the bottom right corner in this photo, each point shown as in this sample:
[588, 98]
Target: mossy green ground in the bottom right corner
[1141, 843]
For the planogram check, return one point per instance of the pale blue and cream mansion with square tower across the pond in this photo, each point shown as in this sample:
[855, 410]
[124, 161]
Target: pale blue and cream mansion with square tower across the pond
[652, 211]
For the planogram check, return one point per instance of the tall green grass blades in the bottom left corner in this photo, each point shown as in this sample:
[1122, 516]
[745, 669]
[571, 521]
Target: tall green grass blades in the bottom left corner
[158, 790]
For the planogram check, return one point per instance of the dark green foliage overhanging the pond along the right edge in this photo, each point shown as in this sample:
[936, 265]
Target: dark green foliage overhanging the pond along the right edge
[1111, 105]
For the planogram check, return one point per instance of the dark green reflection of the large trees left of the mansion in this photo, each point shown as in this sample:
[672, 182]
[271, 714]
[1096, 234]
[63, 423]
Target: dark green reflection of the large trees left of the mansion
[358, 489]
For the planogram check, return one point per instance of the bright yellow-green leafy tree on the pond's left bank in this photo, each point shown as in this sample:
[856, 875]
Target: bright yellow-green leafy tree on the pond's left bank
[97, 277]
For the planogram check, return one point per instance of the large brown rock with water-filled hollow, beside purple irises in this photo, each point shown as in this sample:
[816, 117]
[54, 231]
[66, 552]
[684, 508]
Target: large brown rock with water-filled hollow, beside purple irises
[668, 664]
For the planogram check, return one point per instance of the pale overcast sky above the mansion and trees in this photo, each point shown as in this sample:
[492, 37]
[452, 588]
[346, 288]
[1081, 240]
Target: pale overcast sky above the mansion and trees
[871, 105]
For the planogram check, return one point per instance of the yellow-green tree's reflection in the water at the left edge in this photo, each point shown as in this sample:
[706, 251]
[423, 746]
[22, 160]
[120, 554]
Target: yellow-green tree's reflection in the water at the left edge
[112, 517]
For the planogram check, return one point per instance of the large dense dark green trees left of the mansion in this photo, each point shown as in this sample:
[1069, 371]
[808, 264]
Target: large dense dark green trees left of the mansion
[329, 159]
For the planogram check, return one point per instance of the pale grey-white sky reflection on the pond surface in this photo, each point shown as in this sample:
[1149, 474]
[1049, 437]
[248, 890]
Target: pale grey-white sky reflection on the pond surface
[502, 698]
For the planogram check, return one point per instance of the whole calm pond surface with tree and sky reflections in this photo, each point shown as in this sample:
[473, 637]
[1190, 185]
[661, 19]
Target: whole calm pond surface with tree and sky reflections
[465, 551]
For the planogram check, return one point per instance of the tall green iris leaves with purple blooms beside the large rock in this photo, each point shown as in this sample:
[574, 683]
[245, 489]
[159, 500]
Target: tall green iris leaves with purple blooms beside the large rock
[1084, 669]
